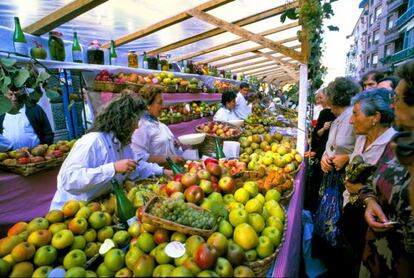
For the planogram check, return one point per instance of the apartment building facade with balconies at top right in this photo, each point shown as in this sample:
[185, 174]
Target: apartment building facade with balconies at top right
[379, 36]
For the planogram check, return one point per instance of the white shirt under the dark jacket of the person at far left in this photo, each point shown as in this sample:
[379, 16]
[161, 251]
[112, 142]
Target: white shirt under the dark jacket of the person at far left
[19, 131]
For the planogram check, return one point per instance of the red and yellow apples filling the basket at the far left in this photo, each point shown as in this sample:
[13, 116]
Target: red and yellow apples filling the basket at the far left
[37, 154]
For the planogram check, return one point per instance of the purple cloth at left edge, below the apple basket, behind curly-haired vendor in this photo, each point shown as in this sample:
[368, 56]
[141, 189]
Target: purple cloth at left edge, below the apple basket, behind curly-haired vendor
[24, 198]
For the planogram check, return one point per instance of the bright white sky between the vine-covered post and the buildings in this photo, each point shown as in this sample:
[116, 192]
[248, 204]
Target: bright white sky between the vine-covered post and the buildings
[336, 44]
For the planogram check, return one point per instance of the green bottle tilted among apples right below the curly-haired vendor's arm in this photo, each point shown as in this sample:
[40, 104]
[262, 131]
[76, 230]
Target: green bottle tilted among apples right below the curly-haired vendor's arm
[125, 210]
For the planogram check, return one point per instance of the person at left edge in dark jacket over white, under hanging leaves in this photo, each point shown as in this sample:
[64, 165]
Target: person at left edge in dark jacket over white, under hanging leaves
[26, 124]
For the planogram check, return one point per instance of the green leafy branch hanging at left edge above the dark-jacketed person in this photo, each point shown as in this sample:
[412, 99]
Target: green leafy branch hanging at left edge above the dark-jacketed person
[15, 77]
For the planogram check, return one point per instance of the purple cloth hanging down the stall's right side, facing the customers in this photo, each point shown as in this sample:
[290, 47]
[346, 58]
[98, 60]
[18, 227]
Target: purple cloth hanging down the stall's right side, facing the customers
[288, 261]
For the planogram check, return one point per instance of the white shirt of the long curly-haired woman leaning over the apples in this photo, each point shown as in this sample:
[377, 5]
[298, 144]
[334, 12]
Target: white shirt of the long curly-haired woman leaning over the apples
[87, 171]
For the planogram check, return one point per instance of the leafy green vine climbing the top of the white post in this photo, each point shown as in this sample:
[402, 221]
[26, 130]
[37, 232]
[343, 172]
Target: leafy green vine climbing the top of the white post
[312, 13]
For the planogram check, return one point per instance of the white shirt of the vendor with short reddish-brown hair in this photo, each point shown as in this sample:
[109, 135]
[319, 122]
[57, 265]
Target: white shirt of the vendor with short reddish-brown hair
[153, 138]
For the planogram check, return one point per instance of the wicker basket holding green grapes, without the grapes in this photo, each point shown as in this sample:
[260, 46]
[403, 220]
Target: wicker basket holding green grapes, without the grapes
[172, 226]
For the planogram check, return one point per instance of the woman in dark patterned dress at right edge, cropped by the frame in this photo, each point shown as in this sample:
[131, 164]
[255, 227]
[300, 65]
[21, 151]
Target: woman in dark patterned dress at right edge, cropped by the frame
[389, 247]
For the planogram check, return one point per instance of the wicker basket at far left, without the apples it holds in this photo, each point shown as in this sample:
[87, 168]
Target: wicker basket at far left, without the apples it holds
[33, 168]
